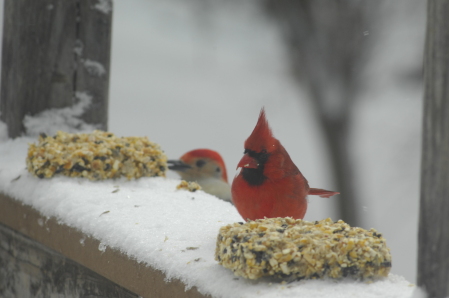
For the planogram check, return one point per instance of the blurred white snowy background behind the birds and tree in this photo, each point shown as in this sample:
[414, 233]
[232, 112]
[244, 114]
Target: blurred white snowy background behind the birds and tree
[191, 74]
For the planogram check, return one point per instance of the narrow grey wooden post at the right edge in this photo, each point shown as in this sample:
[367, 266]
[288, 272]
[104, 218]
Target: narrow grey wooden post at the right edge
[433, 243]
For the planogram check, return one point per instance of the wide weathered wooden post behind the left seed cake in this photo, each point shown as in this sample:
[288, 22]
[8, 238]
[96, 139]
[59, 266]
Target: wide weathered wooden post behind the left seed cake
[52, 50]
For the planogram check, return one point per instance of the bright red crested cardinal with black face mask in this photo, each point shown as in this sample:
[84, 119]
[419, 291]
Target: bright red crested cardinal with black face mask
[269, 184]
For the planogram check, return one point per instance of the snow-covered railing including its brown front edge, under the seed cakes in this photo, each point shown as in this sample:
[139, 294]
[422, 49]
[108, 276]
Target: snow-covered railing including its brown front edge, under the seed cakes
[143, 235]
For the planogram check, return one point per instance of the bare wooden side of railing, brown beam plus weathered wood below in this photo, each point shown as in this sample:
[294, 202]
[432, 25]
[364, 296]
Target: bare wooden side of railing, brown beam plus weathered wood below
[69, 244]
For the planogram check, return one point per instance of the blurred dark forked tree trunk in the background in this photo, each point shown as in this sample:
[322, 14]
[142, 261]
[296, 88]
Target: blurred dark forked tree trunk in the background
[327, 46]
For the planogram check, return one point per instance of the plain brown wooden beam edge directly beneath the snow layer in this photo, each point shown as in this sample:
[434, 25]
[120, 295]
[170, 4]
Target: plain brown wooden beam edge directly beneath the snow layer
[69, 242]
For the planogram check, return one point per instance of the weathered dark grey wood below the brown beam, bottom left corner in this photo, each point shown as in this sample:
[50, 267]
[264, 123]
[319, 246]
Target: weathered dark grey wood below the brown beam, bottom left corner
[29, 269]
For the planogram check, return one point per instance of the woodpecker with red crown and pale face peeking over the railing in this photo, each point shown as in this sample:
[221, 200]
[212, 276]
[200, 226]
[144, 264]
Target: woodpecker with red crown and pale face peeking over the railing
[207, 168]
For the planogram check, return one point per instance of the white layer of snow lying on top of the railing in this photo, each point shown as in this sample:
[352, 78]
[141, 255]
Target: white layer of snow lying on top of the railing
[152, 222]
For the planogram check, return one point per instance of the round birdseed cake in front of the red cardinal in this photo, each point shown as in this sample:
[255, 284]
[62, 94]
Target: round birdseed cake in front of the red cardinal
[296, 249]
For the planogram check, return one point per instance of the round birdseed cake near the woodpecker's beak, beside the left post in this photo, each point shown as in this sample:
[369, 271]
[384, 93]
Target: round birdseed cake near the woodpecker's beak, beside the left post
[98, 155]
